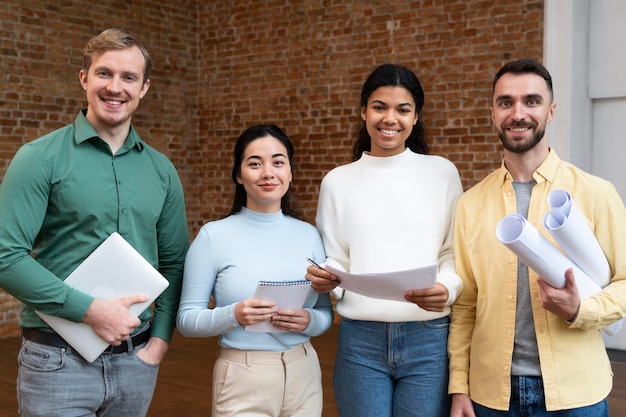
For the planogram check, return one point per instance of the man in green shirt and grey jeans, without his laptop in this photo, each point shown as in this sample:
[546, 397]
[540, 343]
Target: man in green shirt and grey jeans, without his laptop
[62, 196]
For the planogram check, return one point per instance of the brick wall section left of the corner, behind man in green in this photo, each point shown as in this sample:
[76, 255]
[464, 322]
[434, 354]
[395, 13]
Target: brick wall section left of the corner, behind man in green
[40, 57]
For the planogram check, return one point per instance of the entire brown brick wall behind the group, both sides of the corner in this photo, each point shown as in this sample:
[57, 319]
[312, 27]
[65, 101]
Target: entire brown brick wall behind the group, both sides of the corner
[221, 66]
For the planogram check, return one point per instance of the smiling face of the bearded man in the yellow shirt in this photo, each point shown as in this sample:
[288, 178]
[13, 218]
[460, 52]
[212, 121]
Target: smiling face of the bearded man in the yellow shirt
[522, 108]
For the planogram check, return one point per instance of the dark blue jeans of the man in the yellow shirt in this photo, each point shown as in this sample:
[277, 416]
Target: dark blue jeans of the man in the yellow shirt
[528, 400]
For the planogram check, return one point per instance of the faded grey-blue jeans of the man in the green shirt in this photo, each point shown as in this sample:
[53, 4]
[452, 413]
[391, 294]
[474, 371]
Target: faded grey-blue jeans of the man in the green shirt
[56, 382]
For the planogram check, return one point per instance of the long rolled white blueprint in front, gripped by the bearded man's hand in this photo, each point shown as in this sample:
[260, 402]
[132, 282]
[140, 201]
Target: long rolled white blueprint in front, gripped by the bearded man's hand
[525, 241]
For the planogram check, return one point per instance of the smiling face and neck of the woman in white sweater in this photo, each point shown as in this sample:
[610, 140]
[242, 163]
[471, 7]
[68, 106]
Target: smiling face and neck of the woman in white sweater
[389, 118]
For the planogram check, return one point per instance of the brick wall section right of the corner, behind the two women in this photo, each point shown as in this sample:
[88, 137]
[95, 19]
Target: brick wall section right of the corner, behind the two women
[301, 65]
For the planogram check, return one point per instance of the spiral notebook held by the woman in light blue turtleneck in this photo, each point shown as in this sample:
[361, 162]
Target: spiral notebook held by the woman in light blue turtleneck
[285, 294]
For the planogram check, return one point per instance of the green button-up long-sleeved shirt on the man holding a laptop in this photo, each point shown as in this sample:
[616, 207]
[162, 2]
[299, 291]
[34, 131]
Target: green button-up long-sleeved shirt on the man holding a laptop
[64, 194]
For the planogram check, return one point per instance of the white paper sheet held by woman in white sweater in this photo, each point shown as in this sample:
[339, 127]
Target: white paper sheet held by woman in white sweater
[387, 285]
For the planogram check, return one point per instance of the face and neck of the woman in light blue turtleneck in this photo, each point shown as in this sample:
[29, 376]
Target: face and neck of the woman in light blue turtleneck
[265, 174]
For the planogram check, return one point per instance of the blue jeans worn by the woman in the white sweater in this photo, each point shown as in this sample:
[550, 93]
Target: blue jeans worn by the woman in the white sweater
[392, 369]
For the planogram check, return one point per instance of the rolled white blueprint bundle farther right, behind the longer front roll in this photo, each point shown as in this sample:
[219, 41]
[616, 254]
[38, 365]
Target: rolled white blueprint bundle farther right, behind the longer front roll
[572, 232]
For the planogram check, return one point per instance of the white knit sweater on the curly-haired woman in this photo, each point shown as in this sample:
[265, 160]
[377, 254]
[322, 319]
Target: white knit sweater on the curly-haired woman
[383, 214]
